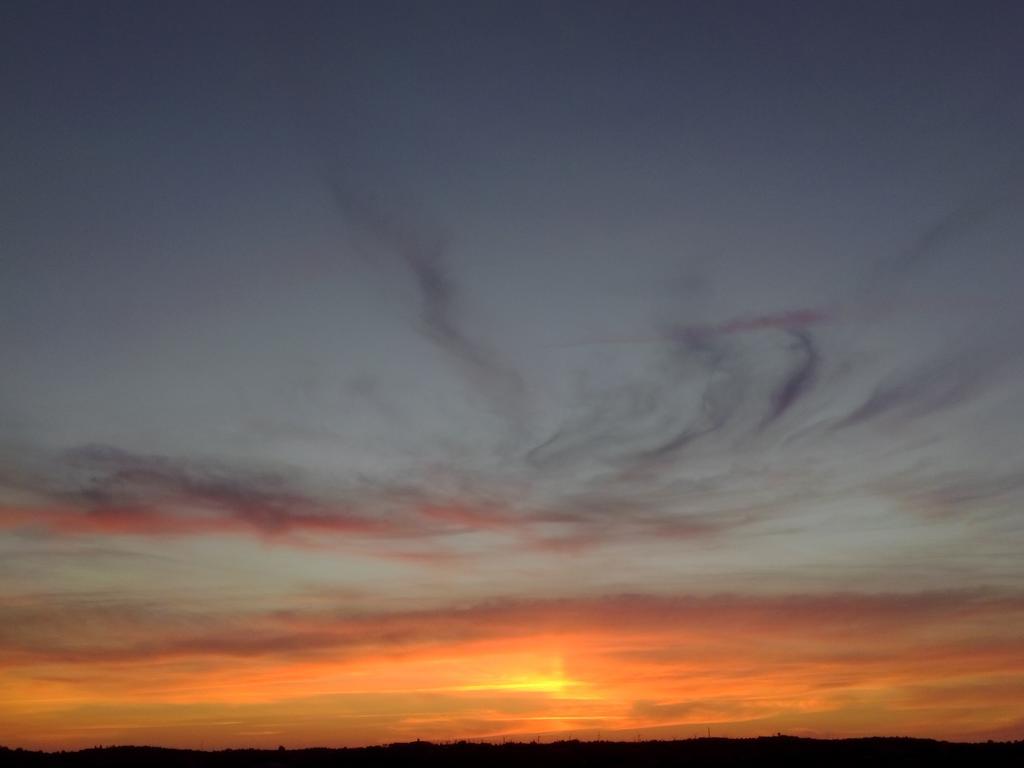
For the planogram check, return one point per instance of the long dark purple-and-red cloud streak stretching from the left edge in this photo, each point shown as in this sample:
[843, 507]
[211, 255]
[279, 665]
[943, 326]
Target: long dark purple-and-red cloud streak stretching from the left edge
[105, 491]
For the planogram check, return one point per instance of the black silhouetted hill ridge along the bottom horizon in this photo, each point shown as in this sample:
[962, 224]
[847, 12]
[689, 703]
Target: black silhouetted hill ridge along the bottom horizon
[775, 751]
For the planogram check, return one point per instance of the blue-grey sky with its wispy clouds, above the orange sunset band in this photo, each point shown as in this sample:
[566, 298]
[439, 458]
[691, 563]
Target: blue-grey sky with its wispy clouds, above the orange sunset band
[620, 271]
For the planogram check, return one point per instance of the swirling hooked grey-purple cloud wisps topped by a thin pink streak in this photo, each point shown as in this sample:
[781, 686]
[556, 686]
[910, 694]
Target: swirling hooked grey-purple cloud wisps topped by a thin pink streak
[703, 382]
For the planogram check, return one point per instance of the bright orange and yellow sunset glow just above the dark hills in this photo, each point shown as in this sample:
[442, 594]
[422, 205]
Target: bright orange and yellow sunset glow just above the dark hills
[741, 672]
